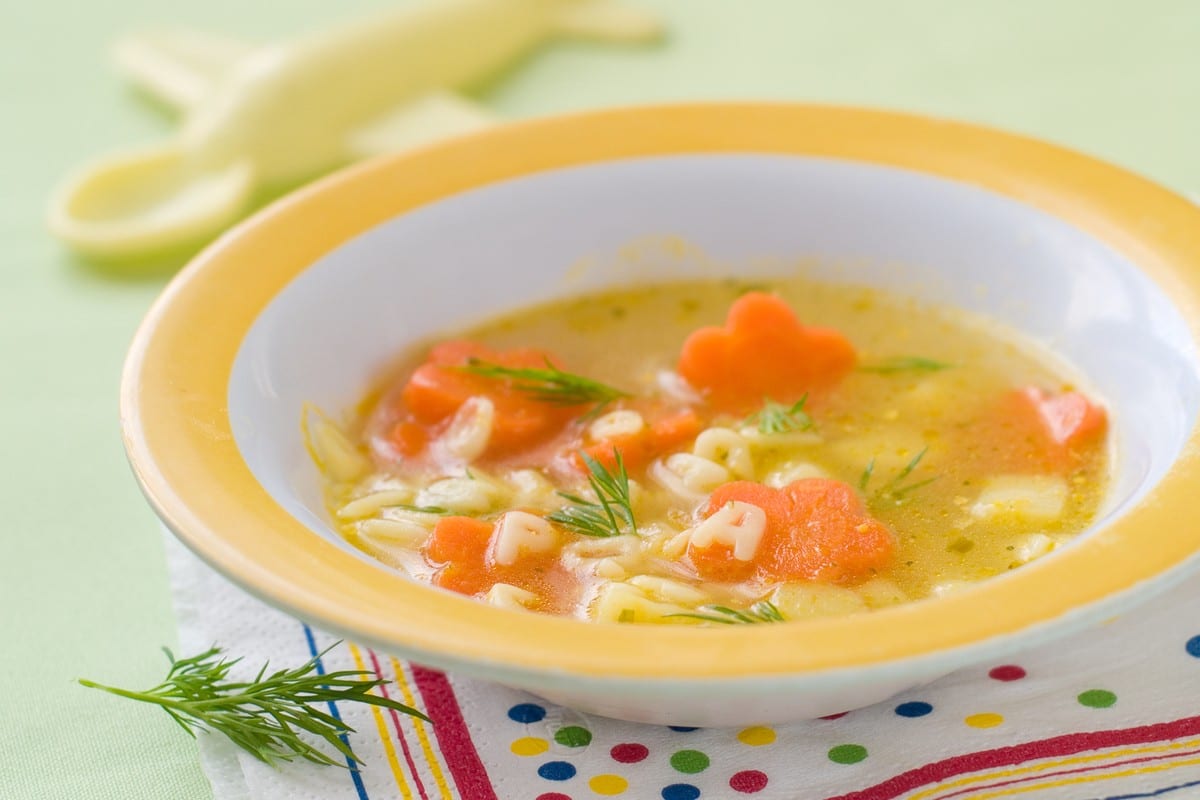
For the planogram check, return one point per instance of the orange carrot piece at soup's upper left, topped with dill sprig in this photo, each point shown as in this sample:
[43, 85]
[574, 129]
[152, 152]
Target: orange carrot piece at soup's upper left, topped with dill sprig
[439, 388]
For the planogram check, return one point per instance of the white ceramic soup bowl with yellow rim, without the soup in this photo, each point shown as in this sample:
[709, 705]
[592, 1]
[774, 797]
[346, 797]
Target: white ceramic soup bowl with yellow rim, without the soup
[310, 300]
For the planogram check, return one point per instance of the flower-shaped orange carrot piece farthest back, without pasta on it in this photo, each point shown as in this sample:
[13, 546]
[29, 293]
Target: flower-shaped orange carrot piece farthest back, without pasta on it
[763, 351]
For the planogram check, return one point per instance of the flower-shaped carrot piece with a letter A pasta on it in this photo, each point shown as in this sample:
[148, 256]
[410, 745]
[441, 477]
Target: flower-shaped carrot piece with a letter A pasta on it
[817, 530]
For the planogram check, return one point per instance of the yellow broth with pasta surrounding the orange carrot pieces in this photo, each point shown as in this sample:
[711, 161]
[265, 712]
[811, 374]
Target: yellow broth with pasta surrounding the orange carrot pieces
[914, 429]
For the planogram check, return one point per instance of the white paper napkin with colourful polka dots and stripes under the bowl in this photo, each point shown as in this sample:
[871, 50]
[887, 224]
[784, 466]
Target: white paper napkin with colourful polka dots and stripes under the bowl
[1113, 714]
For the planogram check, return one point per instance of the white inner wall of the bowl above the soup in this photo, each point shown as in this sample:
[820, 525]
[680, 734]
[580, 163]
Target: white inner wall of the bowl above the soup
[329, 333]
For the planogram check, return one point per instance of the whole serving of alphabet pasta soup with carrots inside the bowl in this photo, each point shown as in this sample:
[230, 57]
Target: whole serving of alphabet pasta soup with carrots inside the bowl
[703, 454]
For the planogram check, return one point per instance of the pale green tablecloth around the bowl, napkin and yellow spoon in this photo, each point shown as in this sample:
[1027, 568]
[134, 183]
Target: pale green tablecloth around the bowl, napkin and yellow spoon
[83, 588]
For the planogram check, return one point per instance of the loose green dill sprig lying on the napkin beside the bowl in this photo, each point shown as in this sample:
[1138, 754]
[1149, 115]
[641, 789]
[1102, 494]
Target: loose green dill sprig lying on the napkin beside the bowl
[268, 715]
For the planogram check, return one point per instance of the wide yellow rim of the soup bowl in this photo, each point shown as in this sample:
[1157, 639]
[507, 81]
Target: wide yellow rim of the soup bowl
[181, 443]
